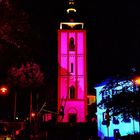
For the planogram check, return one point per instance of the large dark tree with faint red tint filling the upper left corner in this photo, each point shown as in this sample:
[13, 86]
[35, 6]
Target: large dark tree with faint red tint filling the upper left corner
[16, 36]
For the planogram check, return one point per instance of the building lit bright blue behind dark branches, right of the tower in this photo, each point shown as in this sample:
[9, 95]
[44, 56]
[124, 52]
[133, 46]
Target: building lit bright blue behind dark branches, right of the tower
[116, 124]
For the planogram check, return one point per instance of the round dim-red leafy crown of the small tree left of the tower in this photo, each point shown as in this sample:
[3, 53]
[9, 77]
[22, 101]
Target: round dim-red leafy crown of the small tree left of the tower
[28, 75]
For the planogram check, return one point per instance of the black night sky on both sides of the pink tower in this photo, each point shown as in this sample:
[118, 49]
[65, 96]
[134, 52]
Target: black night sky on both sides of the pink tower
[113, 34]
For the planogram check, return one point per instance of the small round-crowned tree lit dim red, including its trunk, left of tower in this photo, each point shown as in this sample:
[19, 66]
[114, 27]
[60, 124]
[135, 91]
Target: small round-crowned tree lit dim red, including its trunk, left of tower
[28, 78]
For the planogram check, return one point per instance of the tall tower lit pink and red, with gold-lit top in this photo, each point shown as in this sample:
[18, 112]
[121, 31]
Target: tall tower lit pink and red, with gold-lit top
[72, 70]
